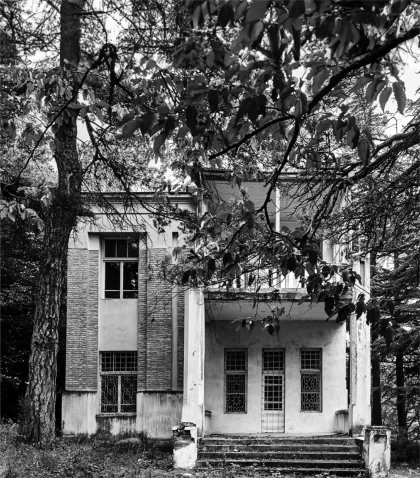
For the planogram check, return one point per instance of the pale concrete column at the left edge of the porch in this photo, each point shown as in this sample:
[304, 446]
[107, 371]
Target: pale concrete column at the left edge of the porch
[194, 340]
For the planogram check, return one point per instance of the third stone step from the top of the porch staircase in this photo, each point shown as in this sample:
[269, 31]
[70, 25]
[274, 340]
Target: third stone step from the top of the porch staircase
[280, 455]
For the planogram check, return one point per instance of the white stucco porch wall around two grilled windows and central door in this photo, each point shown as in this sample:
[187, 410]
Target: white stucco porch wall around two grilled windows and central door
[293, 336]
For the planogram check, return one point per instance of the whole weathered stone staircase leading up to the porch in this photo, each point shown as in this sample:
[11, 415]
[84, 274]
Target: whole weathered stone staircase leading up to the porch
[309, 456]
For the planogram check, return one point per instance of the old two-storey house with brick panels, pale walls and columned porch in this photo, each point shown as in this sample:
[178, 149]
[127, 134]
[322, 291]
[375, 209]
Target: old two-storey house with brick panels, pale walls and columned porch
[143, 356]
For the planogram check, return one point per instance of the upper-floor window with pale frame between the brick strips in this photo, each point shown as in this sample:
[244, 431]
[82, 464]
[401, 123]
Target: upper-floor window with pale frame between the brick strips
[121, 268]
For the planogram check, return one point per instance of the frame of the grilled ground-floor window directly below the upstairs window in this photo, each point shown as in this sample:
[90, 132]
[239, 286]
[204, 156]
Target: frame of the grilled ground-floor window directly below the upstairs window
[119, 374]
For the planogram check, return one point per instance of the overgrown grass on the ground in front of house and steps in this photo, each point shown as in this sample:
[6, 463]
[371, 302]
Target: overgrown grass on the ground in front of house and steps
[133, 458]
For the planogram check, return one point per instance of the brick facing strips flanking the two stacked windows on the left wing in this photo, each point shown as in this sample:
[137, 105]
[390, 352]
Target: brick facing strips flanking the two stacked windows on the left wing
[154, 322]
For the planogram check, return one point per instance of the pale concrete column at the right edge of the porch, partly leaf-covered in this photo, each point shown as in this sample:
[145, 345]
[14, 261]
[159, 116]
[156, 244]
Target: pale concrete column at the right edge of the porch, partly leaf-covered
[360, 381]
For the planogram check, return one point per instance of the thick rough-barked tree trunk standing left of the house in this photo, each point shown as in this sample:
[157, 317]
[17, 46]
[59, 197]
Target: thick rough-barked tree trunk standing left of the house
[60, 218]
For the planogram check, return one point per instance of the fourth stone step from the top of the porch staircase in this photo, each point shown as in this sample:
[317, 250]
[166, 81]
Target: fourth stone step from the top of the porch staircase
[319, 465]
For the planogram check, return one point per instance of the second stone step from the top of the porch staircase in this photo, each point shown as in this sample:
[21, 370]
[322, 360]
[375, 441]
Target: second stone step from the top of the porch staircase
[279, 447]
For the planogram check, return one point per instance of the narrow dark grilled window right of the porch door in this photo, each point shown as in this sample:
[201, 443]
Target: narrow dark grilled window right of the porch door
[311, 370]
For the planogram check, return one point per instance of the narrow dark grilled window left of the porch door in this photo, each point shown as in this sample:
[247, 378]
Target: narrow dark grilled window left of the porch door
[235, 380]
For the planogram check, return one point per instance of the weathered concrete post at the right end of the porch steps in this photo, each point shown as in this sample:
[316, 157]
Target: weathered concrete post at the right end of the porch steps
[377, 451]
